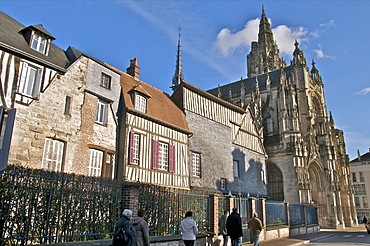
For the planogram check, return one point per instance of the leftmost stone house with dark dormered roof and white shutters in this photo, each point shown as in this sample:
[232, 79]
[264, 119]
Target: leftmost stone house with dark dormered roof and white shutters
[65, 102]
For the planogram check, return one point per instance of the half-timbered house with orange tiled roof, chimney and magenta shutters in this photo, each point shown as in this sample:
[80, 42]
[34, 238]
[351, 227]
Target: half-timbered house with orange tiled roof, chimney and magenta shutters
[153, 134]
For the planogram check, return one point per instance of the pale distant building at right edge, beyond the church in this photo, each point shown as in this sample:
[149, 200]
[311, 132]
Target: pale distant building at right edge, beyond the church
[360, 172]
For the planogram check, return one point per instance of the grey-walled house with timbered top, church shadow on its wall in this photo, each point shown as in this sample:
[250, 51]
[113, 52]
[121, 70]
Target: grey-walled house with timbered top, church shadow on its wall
[226, 150]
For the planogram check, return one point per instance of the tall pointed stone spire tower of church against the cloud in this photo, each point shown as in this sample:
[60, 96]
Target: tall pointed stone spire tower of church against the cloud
[264, 56]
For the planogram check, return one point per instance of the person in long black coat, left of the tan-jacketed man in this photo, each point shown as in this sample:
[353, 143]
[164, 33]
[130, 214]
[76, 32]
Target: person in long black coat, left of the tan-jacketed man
[234, 228]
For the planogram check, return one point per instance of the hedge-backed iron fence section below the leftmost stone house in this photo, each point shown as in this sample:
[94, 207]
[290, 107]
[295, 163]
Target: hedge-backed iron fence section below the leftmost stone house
[42, 207]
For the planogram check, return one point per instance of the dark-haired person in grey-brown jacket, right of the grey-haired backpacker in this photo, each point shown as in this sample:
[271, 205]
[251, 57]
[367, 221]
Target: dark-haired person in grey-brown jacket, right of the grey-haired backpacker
[141, 229]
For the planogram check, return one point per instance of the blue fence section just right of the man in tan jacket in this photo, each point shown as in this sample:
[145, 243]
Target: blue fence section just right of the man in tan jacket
[276, 213]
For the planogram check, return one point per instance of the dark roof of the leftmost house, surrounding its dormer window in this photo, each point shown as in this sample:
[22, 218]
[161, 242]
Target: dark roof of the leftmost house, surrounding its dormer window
[13, 41]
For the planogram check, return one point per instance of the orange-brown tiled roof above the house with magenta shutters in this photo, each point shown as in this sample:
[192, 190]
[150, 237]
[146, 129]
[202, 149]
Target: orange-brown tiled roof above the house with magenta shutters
[159, 105]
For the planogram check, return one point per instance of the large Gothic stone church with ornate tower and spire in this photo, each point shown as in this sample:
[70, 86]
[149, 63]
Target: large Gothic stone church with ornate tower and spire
[307, 161]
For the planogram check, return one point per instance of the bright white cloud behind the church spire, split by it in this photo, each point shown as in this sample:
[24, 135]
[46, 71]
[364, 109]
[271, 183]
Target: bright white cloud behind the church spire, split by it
[228, 42]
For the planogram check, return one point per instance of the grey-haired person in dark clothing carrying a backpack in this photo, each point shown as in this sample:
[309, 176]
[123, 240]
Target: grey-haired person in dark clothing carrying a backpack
[125, 223]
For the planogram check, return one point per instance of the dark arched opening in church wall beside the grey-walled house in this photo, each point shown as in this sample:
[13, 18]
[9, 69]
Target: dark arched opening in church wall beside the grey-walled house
[275, 184]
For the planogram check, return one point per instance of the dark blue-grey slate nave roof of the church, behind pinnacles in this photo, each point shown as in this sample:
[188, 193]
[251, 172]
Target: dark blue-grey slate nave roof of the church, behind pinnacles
[249, 83]
